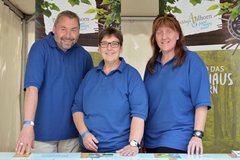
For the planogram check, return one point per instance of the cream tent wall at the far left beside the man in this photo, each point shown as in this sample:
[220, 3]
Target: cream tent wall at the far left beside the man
[15, 33]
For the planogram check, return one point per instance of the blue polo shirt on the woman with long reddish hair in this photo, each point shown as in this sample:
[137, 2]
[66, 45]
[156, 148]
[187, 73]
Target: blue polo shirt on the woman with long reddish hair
[173, 96]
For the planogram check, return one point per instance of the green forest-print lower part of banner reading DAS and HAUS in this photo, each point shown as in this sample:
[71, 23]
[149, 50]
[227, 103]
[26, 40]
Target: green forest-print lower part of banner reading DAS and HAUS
[222, 132]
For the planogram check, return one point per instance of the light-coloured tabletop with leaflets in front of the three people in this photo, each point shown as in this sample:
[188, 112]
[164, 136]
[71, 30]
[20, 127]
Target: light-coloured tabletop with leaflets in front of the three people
[113, 156]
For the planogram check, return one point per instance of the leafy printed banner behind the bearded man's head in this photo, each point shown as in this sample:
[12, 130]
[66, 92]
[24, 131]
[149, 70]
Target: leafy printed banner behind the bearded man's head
[93, 18]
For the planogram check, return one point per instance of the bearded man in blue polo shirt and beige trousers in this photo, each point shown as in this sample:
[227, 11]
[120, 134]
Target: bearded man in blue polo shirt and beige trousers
[56, 66]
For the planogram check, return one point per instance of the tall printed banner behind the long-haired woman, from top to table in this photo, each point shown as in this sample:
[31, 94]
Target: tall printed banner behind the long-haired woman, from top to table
[216, 39]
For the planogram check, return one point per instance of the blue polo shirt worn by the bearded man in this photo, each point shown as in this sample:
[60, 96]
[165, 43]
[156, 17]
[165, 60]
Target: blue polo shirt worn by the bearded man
[57, 75]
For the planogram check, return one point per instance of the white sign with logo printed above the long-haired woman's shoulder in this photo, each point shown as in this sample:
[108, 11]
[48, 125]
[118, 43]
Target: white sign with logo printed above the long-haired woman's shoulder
[195, 19]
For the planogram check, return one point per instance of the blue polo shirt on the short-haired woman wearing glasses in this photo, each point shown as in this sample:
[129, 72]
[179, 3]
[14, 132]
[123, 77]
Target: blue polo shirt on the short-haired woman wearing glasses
[109, 102]
